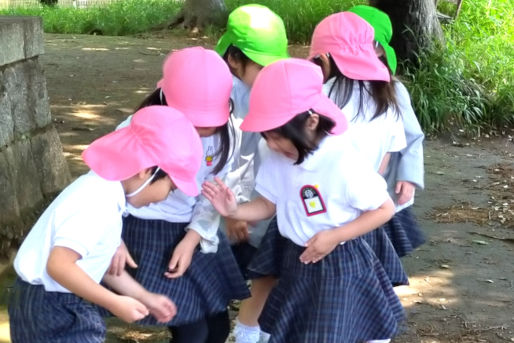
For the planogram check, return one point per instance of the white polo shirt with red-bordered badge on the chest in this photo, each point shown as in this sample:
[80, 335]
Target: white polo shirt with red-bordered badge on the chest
[333, 186]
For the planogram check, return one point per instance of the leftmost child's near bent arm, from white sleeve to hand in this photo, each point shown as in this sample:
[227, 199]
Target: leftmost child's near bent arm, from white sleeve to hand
[62, 267]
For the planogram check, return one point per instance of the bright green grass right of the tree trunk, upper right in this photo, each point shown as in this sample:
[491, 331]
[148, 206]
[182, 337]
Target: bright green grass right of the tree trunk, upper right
[468, 82]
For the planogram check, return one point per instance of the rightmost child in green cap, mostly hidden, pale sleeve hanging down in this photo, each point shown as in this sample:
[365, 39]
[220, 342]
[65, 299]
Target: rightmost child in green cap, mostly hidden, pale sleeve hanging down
[405, 169]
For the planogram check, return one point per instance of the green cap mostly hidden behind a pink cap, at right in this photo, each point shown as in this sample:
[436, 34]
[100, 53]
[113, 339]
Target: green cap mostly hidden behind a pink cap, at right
[383, 30]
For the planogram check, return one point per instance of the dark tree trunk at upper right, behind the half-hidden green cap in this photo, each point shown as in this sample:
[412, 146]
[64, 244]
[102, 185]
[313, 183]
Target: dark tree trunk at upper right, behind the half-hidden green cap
[415, 25]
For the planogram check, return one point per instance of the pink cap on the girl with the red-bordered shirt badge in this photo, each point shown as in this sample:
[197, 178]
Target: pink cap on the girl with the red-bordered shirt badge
[286, 88]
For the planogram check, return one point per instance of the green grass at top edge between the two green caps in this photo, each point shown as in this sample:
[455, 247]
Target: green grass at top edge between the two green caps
[300, 16]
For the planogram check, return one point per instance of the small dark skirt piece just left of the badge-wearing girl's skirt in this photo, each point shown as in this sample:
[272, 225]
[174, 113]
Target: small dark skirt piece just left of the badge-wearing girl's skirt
[267, 259]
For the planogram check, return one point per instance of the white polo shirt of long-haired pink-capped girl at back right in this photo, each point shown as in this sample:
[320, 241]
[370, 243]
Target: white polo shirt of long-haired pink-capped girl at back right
[373, 138]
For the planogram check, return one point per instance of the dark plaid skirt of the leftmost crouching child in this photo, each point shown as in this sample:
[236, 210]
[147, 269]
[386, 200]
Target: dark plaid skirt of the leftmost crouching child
[38, 316]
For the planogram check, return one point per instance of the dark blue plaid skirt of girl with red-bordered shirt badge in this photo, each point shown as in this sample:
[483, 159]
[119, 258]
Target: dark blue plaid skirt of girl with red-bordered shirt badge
[346, 297]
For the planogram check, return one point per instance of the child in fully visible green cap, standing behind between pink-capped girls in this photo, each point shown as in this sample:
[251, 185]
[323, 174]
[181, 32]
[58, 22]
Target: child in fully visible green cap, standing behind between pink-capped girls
[255, 37]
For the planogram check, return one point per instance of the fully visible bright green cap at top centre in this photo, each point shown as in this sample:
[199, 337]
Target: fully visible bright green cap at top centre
[258, 32]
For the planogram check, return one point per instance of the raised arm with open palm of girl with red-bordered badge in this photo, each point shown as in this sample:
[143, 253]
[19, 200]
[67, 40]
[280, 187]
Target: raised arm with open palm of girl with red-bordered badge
[225, 203]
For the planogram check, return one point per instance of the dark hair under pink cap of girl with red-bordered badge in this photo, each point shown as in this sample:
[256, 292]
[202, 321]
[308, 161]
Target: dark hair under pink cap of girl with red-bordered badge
[294, 130]
